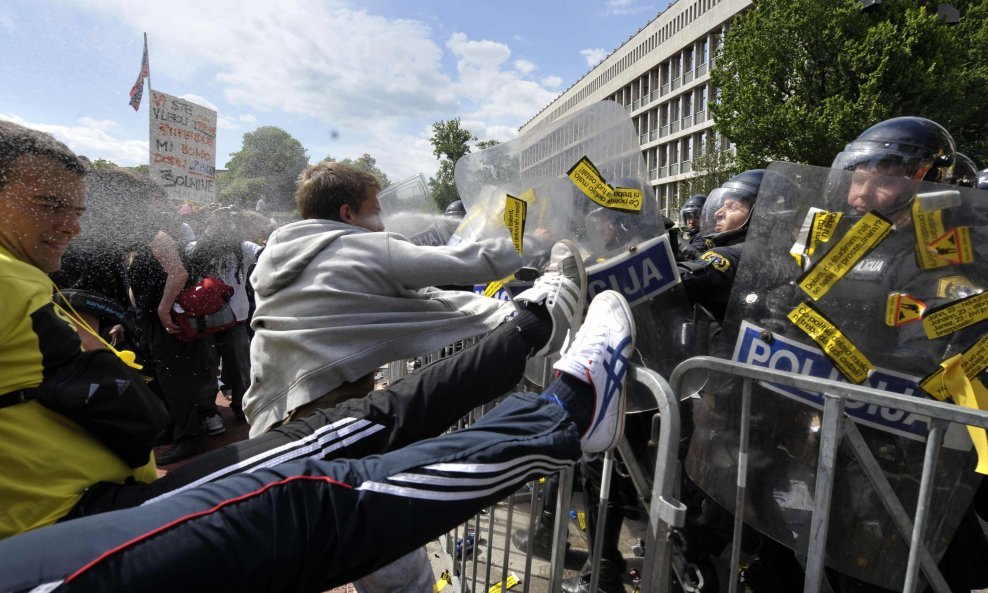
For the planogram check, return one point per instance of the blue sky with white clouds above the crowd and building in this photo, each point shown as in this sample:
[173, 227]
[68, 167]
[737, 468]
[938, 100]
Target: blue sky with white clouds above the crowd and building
[343, 77]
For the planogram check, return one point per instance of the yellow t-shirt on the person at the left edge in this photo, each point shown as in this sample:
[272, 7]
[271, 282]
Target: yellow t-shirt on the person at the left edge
[46, 460]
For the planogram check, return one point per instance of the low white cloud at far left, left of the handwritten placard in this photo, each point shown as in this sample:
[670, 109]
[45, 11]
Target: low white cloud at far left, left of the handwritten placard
[93, 138]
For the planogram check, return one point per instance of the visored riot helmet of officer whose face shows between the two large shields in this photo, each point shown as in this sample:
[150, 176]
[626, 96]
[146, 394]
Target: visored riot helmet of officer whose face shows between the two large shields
[727, 210]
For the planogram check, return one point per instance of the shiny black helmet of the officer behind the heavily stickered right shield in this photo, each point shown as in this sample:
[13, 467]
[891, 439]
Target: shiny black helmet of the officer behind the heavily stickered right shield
[914, 147]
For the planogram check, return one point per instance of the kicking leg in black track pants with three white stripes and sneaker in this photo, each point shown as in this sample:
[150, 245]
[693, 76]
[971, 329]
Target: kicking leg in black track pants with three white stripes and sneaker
[419, 406]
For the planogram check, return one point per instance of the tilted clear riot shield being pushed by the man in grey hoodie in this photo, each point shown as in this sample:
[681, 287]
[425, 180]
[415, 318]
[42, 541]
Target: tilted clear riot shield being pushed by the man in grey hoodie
[583, 178]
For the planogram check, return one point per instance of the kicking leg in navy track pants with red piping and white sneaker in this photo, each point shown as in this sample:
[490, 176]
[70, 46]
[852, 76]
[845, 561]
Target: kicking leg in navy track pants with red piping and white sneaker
[310, 524]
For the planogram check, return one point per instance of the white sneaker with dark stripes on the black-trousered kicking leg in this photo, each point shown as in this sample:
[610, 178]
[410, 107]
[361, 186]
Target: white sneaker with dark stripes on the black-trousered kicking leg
[562, 288]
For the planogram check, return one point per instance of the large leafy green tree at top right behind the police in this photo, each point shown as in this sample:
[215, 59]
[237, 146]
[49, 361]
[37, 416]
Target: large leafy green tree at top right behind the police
[798, 79]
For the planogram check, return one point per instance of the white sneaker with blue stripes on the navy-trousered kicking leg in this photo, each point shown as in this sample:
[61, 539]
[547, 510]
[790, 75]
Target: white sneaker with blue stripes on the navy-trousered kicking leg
[599, 355]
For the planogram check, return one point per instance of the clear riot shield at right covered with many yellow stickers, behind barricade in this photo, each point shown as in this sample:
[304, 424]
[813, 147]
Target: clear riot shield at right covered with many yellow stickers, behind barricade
[848, 293]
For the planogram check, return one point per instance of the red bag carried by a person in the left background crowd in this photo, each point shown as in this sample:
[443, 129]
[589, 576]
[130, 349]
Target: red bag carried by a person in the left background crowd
[203, 309]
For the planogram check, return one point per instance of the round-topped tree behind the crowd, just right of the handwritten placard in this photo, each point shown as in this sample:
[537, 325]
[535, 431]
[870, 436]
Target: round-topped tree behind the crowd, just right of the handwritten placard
[268, 164]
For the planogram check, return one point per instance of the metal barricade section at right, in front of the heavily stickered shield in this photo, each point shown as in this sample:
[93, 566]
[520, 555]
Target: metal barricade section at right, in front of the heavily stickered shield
[667, 514]
